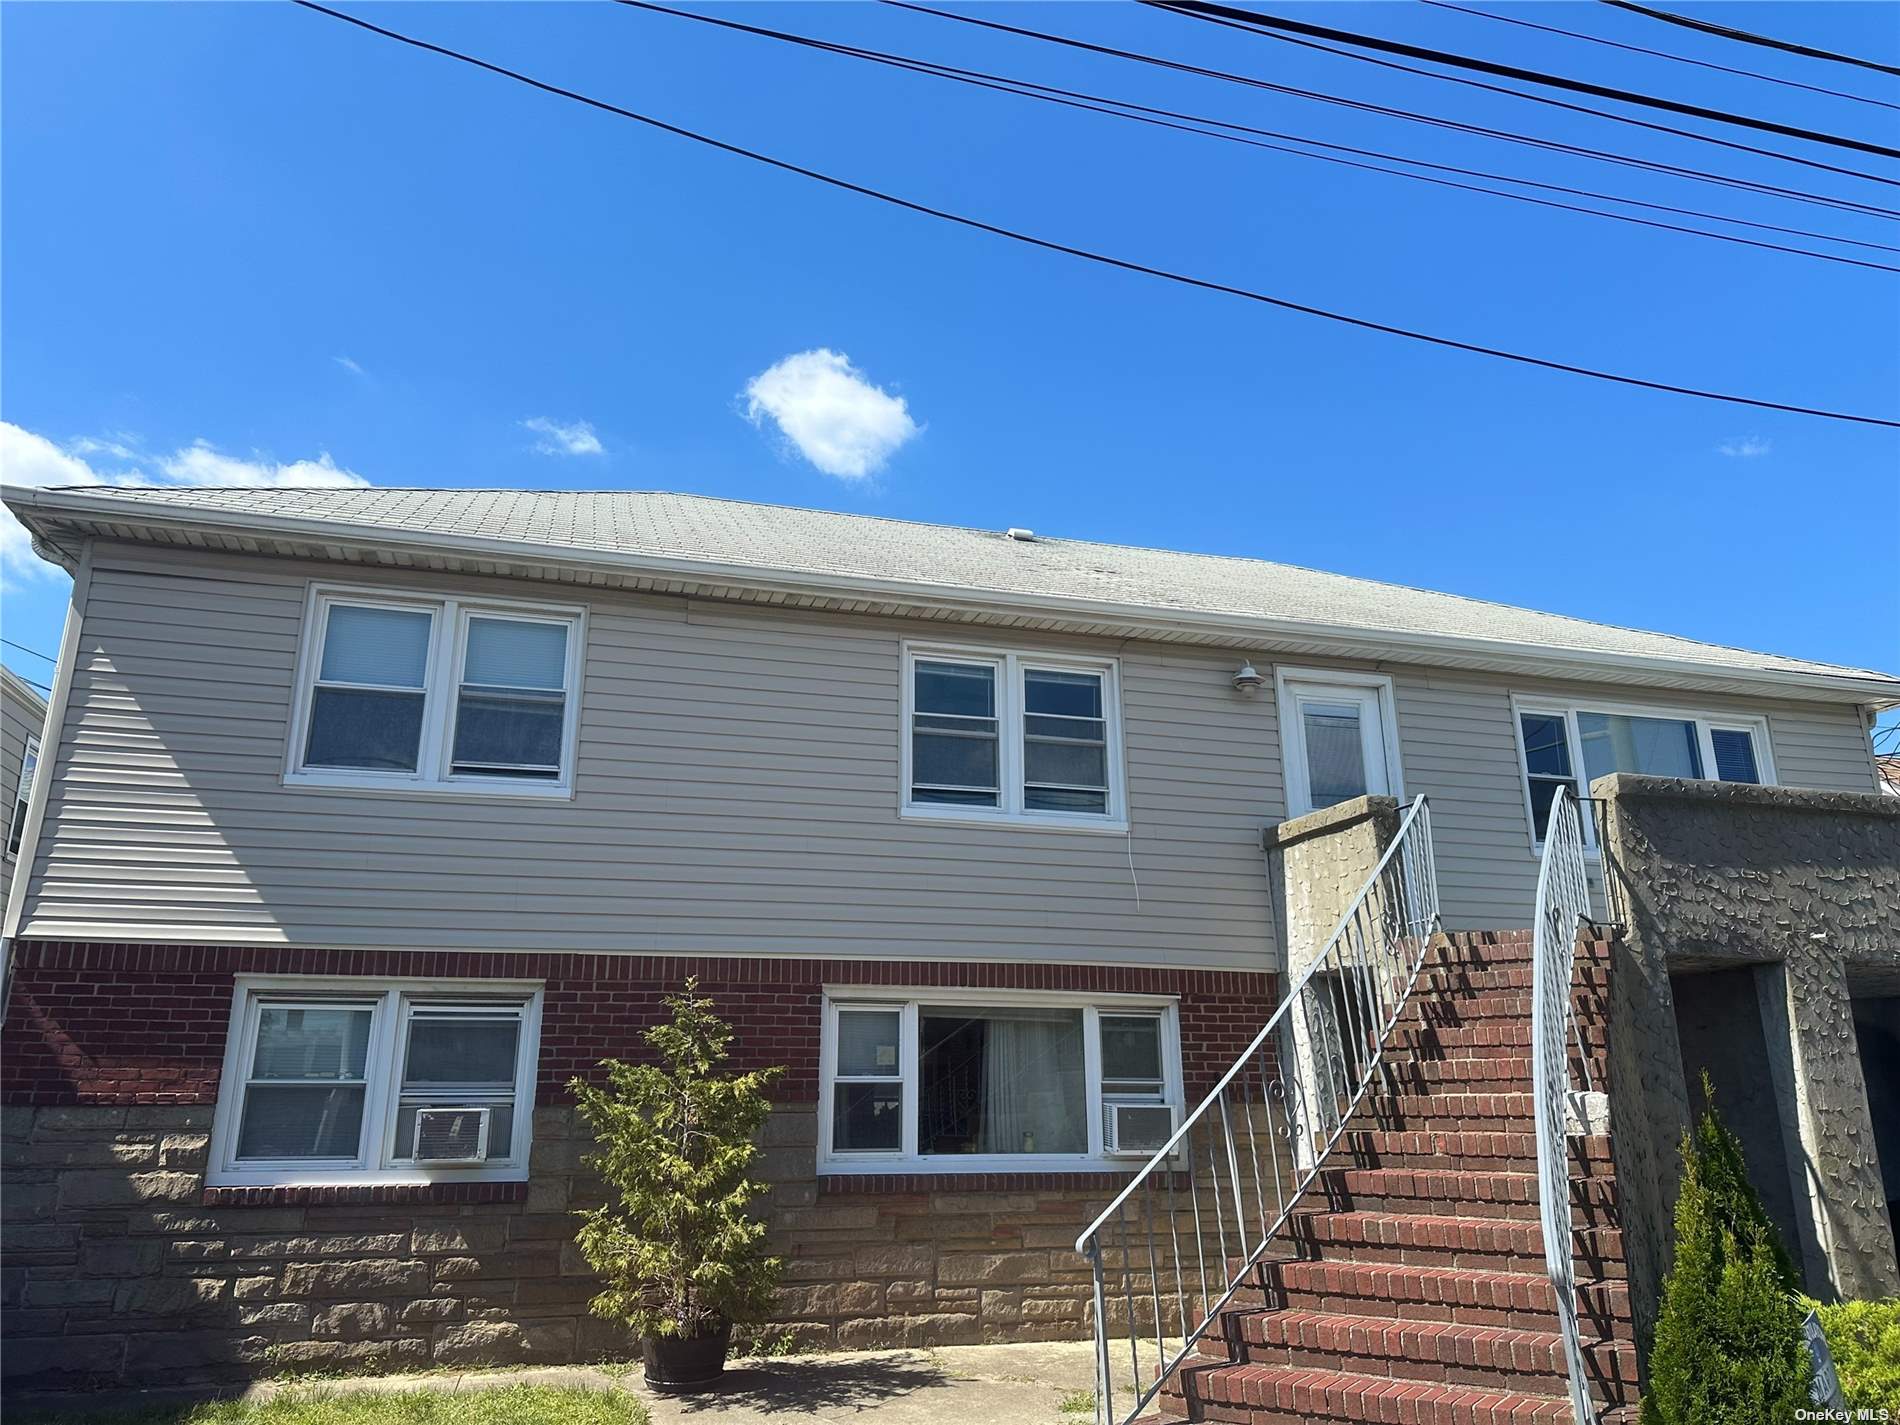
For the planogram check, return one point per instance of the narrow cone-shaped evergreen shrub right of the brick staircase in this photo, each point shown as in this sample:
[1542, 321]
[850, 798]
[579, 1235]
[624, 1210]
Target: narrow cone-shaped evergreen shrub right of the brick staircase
[1730, 1346]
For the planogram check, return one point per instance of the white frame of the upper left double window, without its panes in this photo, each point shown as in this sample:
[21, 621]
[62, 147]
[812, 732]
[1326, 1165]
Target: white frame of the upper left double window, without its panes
[440, 694]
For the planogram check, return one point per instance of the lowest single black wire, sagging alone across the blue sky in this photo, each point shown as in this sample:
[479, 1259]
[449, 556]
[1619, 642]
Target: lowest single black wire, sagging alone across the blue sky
[1084, 254]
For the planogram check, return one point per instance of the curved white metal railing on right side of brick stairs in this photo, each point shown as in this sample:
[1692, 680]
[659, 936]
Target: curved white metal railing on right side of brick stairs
[1563, 905]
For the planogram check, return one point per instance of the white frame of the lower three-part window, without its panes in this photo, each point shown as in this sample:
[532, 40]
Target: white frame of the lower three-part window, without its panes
[909, 1000]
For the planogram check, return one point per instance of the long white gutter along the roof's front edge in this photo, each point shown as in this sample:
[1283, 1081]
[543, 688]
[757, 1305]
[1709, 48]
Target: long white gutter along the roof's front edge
[1872, 689]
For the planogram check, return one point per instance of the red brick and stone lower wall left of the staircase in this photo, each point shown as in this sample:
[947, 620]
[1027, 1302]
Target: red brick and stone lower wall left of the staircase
[121, 1268]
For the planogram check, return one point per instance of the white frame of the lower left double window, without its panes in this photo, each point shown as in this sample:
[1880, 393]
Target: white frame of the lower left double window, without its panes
[379, 1160]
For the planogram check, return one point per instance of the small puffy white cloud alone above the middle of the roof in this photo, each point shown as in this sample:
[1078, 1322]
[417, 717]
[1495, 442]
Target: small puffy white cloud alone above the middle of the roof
[826, 408]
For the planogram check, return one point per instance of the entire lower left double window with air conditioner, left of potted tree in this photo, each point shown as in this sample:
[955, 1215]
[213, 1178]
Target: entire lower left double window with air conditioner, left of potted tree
[339, 1080]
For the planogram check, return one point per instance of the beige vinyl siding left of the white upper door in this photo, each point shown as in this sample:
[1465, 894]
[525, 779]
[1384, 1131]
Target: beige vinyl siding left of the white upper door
[738, 784]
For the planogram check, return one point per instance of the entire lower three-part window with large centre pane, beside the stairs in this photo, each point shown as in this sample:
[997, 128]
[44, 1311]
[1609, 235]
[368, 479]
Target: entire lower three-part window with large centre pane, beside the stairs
[970, 1084]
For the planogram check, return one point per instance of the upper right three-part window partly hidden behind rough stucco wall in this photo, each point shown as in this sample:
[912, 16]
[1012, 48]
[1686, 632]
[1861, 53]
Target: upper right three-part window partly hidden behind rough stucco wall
[1572, 746]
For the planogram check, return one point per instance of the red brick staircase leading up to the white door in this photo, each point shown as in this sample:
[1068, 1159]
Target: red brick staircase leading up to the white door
[1411, 1287]
